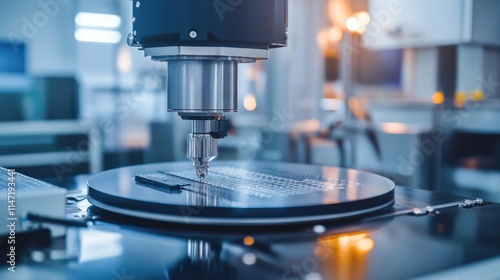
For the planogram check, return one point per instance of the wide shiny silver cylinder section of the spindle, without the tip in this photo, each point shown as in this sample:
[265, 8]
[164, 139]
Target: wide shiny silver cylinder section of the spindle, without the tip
[202, 86]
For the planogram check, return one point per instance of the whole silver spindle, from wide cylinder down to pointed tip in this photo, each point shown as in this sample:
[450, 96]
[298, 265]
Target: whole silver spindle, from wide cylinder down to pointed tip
[202, 88]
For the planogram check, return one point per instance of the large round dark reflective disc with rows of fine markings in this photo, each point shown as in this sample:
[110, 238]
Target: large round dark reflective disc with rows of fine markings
[240, 193]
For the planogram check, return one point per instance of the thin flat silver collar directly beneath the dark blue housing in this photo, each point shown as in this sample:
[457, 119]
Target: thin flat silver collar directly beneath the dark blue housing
[175, 52]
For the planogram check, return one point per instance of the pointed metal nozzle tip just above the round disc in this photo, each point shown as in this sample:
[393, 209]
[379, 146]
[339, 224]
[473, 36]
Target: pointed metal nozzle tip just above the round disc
[202, 148]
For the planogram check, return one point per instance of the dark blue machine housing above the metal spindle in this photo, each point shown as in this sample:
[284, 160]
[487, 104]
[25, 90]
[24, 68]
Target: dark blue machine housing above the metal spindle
[258, 24]
